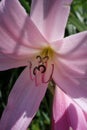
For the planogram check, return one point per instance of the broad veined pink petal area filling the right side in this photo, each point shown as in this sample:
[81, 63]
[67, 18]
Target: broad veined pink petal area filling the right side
[70, 71]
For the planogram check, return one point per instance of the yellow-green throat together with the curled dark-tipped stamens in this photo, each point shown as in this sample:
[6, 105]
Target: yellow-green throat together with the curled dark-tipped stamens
[41, 70]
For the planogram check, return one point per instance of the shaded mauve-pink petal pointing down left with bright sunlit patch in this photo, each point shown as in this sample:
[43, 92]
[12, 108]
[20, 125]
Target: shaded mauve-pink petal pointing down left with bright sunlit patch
[23, 103]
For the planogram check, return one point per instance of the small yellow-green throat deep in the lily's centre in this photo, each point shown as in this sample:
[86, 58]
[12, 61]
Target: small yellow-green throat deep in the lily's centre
[47, 51]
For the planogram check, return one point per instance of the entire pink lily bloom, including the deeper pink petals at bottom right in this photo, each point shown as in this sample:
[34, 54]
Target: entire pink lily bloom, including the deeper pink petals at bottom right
[38, 43]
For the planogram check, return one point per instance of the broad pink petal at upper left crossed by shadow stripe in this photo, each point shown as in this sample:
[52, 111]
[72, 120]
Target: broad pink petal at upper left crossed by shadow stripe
[16, 23]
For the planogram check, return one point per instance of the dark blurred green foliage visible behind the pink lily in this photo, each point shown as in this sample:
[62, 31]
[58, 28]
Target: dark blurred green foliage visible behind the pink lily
[77, 22]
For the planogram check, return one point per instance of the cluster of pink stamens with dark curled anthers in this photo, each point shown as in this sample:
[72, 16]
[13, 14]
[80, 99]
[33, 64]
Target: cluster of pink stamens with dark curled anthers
[38, 72]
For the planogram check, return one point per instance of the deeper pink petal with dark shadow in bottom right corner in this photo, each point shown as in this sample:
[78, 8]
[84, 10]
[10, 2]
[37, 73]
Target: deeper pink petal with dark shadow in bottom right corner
[66, 114]
